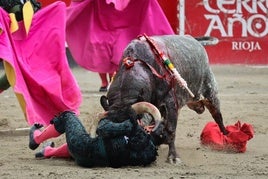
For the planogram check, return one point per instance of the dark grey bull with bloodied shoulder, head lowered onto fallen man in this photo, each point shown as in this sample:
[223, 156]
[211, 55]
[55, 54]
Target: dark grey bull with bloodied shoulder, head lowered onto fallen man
[141, 77]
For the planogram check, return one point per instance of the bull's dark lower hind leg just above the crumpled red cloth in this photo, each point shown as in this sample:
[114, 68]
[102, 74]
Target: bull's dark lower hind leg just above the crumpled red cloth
[213, 106]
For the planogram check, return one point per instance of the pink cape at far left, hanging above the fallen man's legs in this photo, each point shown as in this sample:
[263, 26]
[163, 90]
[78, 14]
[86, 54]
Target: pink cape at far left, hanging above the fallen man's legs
[43, 76]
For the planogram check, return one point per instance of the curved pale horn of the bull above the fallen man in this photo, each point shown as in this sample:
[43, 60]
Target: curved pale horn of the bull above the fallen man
[145, 107]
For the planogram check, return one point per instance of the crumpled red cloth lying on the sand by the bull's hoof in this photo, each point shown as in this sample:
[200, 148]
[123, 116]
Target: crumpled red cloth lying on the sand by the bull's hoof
[235, 140]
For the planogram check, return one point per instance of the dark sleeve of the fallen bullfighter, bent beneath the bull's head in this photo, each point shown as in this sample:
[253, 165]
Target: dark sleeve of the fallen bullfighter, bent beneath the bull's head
[109, 129]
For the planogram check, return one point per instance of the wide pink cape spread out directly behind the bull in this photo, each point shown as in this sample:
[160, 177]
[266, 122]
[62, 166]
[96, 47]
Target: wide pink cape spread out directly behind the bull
[97, 31]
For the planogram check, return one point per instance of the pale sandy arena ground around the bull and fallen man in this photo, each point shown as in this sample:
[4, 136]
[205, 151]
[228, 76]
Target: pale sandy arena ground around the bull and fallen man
[243, 94]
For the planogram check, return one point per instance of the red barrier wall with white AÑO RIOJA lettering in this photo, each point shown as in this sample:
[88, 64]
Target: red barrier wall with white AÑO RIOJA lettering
[240, 26]
